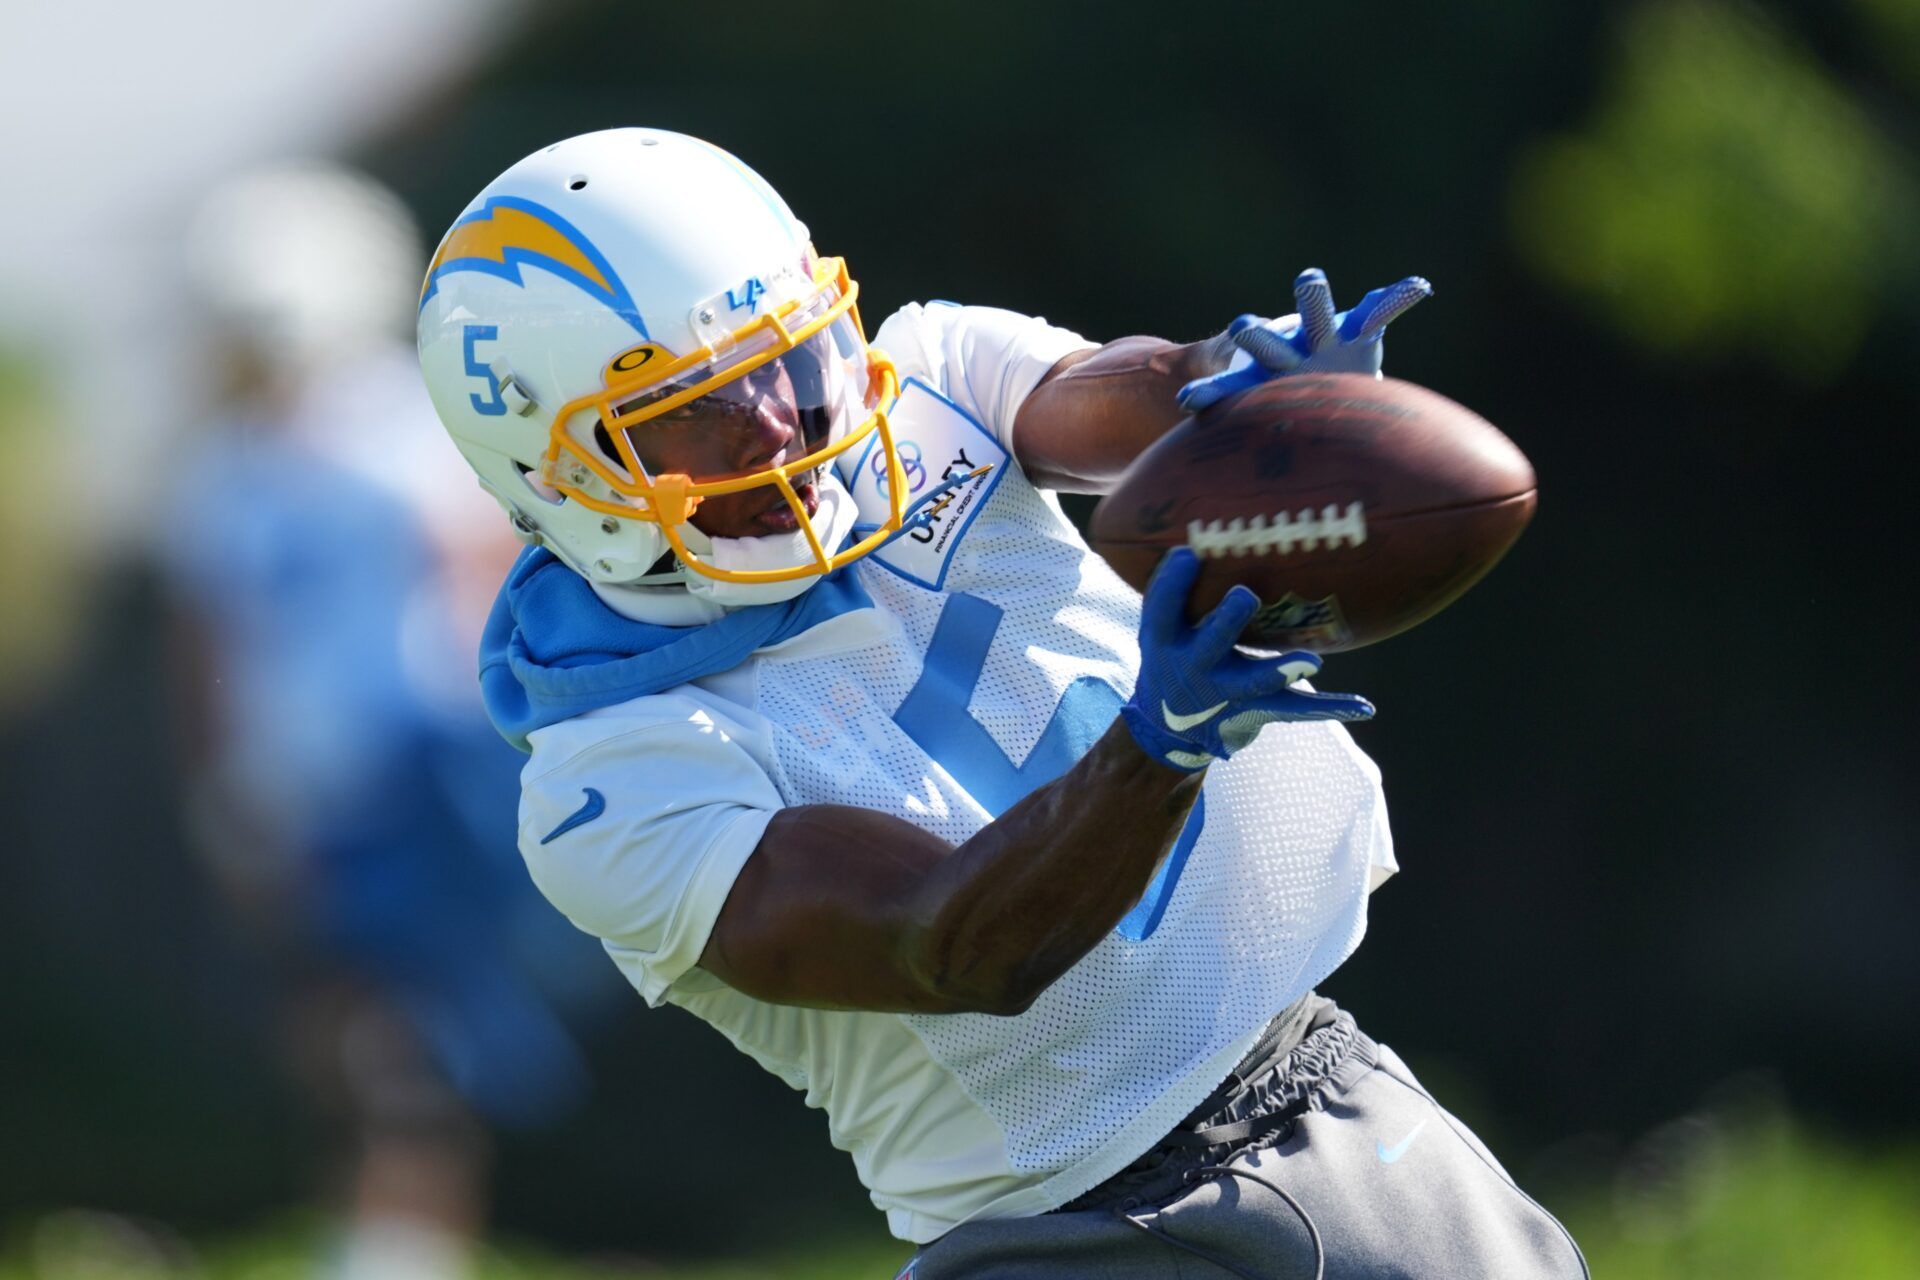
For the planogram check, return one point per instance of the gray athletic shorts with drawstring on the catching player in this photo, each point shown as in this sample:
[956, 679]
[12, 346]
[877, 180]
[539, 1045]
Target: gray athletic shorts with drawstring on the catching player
[1333, 1162]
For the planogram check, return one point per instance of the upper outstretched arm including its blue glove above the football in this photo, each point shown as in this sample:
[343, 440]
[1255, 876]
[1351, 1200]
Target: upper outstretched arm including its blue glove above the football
[1095, 412]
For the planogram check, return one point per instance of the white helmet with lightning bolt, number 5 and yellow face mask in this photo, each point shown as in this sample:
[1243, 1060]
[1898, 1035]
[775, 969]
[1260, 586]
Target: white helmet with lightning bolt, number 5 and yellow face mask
[635, 283]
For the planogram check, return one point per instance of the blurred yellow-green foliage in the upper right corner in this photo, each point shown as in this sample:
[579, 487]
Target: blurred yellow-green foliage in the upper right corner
[1727, 199]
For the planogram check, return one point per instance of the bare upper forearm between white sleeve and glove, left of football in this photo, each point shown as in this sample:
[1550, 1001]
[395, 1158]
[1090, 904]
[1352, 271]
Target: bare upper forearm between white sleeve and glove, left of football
[1092, 417]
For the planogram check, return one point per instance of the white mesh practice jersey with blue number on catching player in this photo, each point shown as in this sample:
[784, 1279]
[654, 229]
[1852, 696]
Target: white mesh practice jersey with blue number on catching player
[984, 671]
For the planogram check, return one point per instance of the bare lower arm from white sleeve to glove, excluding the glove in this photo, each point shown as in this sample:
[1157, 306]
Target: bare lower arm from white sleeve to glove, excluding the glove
[857, 911]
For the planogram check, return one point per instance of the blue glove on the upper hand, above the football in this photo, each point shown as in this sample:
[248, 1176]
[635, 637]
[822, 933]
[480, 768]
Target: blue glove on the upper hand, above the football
[1312, 343]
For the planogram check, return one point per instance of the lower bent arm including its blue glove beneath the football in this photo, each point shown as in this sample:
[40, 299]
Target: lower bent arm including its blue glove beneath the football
[859, 911]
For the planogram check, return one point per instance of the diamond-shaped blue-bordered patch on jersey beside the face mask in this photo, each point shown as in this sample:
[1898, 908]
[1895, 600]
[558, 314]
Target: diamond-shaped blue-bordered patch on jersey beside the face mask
[936, 442]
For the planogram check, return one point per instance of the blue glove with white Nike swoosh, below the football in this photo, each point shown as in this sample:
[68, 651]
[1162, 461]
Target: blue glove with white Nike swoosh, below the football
[1203, 699]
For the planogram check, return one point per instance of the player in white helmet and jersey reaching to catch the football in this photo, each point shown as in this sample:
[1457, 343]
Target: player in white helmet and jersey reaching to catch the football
[844, 742]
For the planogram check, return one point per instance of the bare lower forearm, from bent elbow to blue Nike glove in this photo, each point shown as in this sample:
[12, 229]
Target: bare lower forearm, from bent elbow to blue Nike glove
[1013, 909]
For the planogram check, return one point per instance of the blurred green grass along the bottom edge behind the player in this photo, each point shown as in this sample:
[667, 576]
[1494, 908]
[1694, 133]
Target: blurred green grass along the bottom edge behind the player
[1700, 1200]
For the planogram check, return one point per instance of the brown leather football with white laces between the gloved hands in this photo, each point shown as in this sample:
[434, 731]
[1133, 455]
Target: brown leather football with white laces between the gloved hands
[1353, 508]
